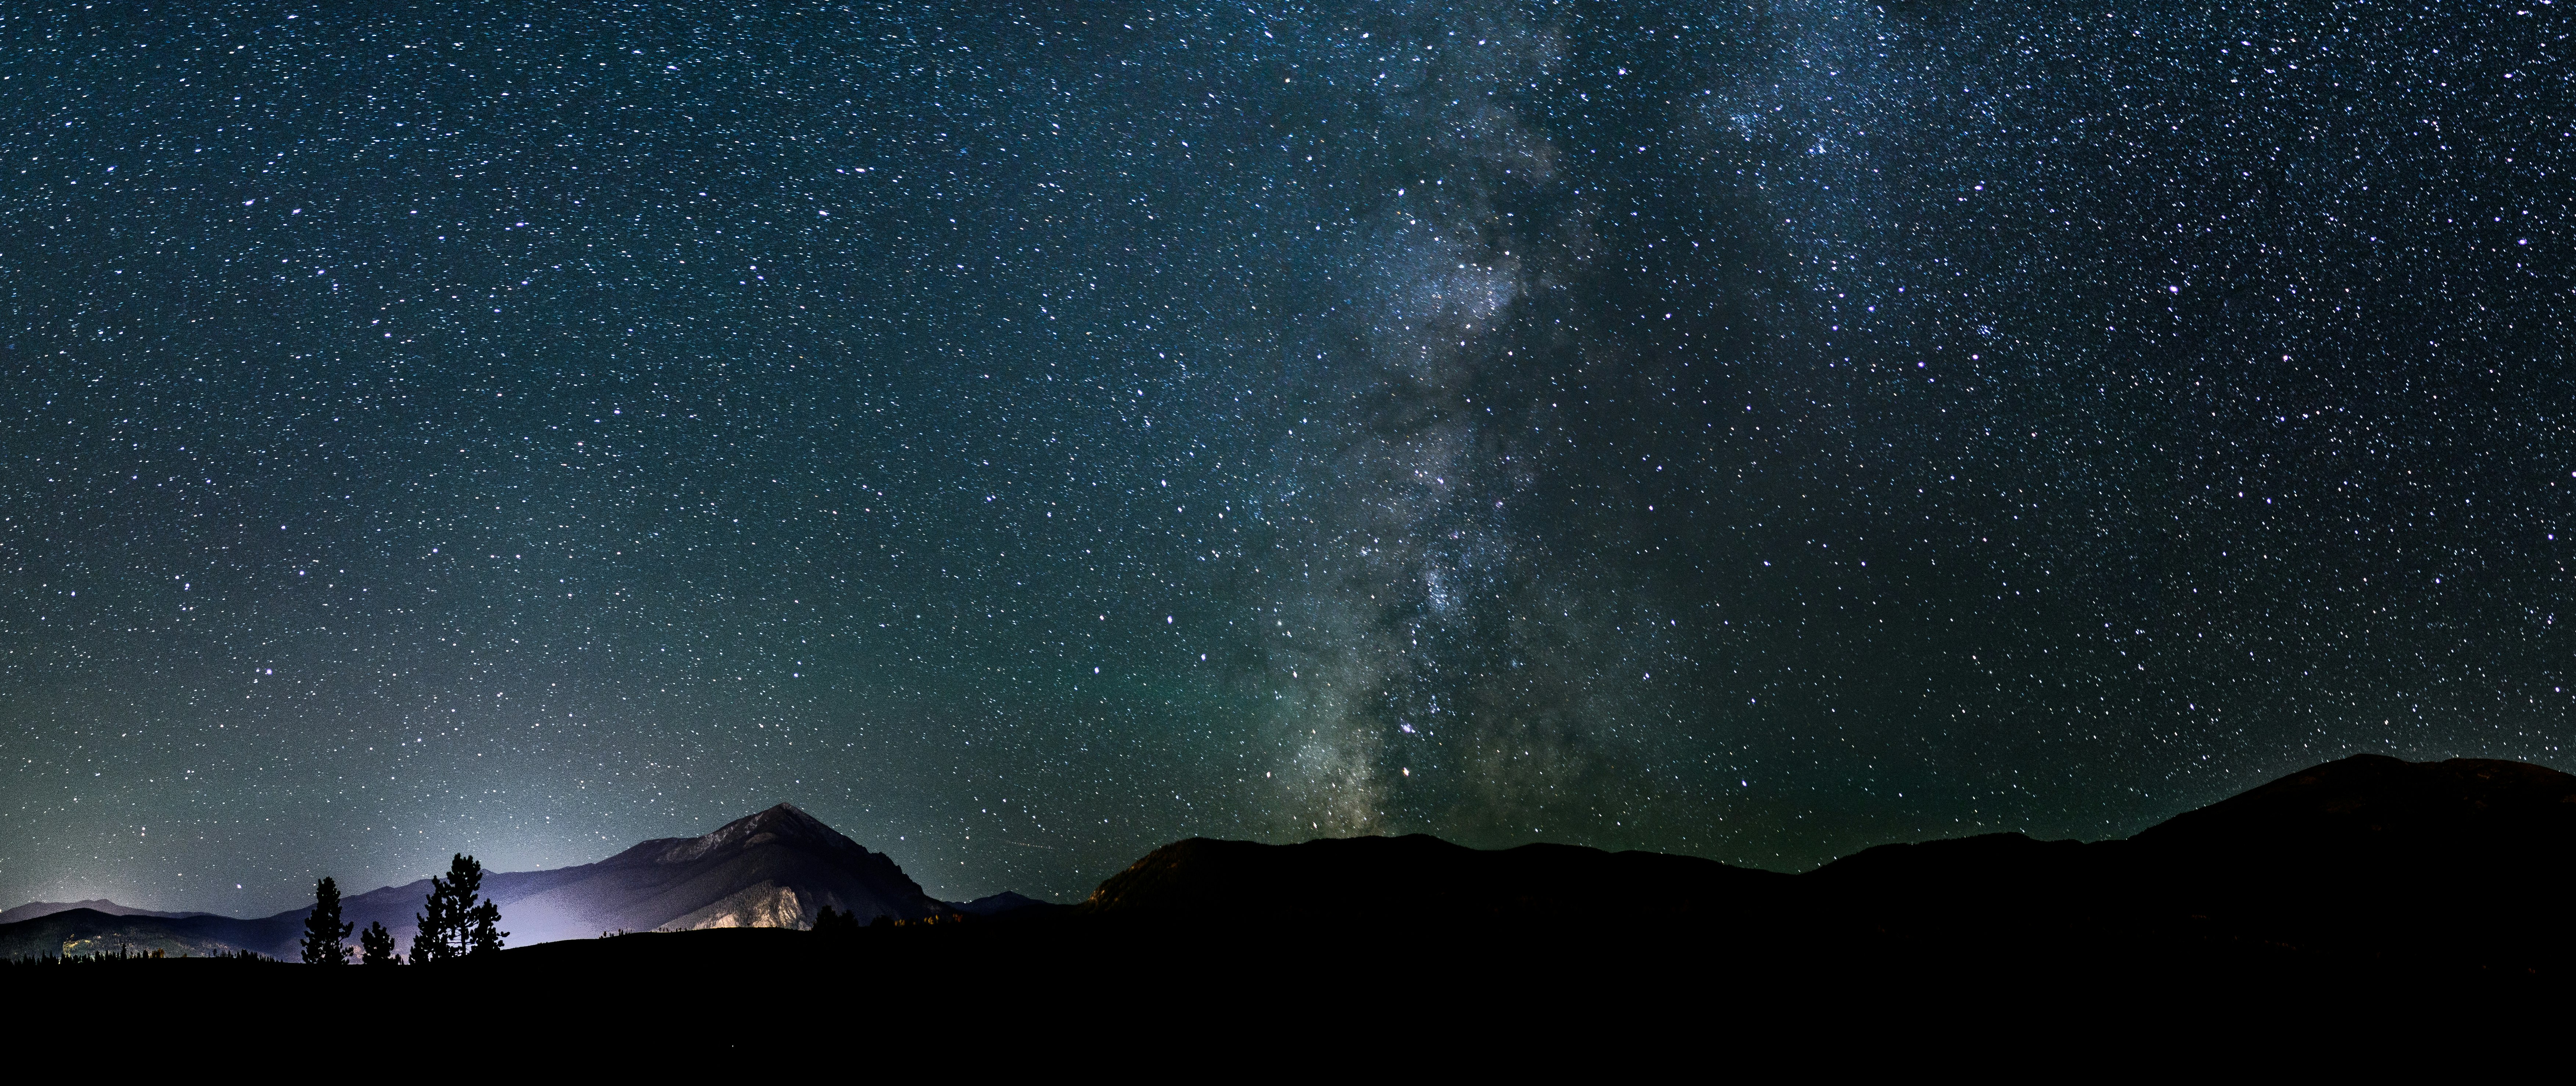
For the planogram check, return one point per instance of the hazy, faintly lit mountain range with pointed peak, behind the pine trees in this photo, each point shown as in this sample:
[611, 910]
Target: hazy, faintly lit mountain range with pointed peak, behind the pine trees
[774, 869]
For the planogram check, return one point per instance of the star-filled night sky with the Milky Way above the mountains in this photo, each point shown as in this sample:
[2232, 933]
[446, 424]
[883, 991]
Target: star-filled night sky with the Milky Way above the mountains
[1032, 434]
